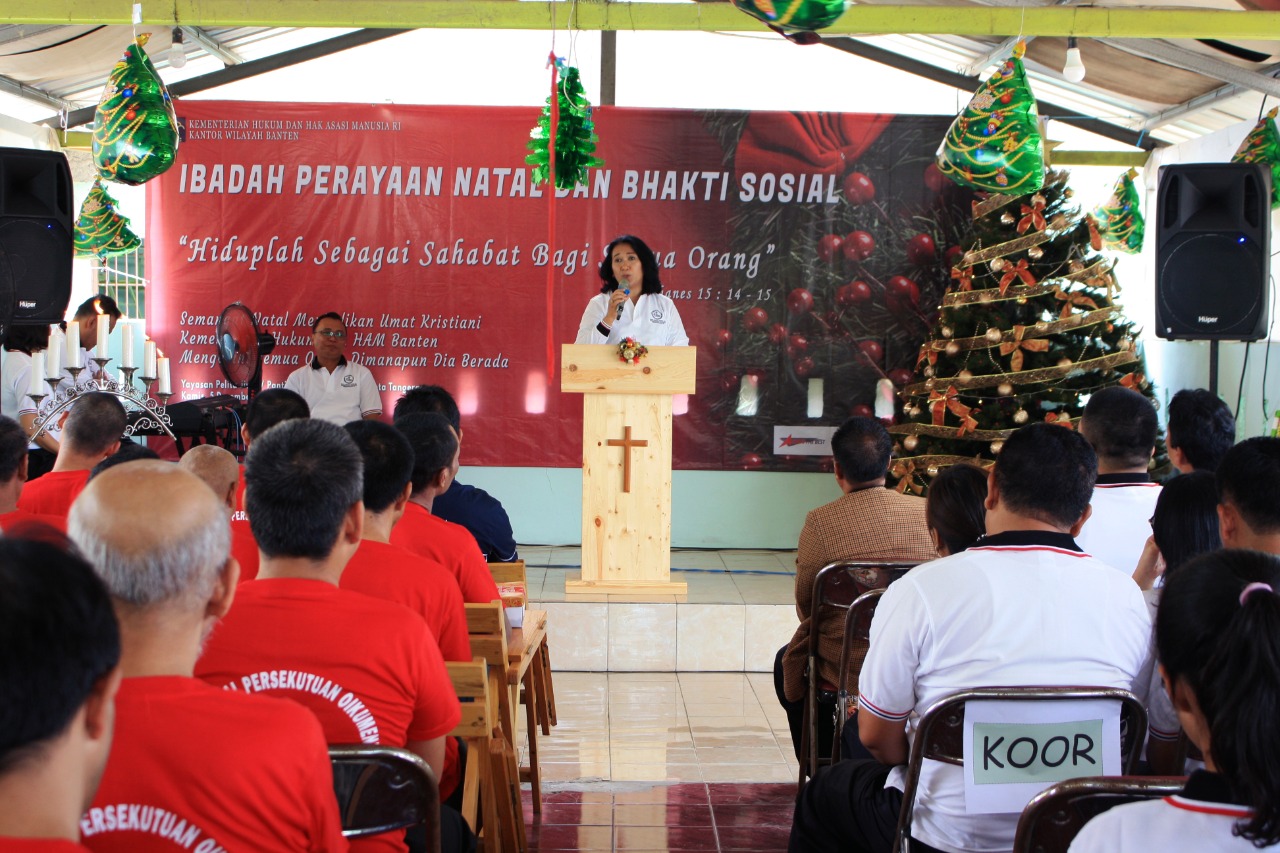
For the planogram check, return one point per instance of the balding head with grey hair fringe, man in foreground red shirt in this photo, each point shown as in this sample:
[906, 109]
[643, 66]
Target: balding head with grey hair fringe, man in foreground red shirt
[175, 556]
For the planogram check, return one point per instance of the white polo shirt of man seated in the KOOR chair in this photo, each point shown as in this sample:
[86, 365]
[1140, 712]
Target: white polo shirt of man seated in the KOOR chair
[1020, 609]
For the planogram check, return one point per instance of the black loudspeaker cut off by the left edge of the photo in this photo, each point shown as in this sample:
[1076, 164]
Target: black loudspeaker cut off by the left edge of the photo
[35, 236]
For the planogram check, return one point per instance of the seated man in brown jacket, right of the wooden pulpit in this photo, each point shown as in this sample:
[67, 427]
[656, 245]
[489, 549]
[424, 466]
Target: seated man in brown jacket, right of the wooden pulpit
[868, 522]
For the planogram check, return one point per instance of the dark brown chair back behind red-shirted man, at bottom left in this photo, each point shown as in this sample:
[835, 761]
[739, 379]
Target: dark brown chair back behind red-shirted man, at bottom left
[382, 790]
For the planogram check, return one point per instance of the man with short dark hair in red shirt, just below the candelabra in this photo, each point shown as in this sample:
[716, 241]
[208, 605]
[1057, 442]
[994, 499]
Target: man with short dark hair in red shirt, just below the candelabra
[93, 432]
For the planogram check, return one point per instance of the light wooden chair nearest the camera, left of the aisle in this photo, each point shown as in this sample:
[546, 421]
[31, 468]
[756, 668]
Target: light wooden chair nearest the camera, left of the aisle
[487, 782]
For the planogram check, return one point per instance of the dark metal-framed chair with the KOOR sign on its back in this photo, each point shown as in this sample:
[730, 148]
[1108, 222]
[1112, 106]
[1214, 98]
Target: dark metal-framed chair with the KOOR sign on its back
[940, 737]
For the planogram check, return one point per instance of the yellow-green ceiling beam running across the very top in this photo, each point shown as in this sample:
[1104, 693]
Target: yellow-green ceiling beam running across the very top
[1085, 22]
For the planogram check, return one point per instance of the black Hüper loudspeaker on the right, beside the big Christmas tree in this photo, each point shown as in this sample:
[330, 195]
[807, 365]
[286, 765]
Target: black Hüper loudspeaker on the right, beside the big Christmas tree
[1213, 252]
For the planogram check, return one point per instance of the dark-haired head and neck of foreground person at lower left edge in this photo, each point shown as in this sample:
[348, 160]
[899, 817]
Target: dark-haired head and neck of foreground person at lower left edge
[58, 685]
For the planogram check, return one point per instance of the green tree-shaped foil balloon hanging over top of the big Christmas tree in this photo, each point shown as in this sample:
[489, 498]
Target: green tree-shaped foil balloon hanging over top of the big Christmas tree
[995, 144]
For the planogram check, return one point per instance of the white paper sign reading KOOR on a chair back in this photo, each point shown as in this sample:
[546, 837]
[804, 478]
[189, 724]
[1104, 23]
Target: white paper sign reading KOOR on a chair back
[1016, 750]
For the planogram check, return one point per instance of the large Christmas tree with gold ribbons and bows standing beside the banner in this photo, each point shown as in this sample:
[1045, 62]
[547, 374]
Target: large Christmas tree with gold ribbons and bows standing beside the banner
[1027, 332]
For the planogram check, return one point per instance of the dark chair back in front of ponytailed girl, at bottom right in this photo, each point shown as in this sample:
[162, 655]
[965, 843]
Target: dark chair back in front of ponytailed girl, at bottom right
[1055, 816]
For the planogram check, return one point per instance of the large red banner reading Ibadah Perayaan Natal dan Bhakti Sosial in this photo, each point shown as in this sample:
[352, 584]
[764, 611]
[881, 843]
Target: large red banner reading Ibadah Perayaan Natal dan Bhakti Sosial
[423, 229]
